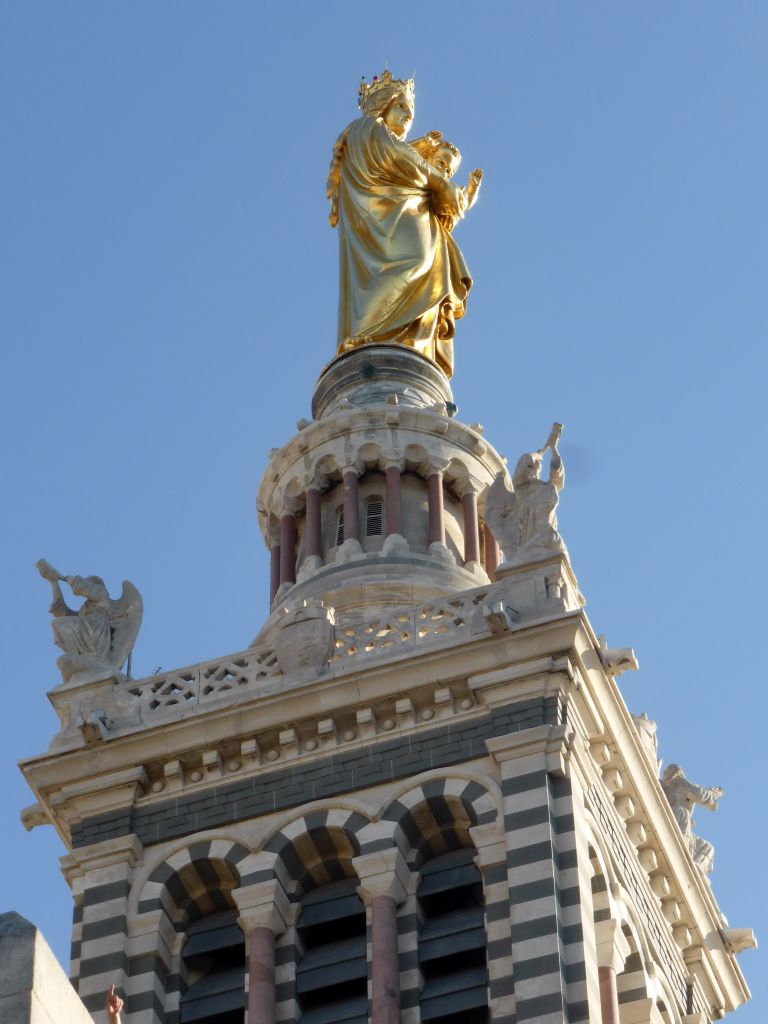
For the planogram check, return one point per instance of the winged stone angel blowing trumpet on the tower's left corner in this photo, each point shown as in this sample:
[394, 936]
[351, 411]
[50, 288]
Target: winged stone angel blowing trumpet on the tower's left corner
[100, 636]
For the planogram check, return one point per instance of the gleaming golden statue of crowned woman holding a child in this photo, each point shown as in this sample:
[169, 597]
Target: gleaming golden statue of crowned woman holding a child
[403, 279]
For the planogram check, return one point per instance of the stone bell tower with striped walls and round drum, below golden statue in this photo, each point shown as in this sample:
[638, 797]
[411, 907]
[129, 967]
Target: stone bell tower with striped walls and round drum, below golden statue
[418, 796]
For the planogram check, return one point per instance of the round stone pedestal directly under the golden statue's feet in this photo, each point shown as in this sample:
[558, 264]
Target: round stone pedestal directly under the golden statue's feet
[371, 375]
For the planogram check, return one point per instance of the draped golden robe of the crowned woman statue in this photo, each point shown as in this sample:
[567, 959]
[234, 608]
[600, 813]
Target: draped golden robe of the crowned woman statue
[403, 280]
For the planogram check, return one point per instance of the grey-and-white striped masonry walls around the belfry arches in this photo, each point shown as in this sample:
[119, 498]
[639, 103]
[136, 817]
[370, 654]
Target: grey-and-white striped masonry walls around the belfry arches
[516, 784]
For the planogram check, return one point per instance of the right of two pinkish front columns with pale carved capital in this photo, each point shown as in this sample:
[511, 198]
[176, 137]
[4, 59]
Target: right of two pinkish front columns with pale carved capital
[383, 888]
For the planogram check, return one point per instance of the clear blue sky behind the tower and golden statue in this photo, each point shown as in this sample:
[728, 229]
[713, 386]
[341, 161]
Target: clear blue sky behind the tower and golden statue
[169, 296]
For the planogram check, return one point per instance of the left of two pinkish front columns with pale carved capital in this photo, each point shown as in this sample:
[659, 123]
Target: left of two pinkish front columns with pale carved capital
[265, 914]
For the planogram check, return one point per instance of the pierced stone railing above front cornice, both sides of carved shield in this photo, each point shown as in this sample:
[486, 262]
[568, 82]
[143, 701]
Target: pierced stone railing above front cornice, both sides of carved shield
[250, 671]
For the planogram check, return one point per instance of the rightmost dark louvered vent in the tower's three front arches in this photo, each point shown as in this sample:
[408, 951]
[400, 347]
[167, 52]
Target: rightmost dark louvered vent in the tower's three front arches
[452, 944]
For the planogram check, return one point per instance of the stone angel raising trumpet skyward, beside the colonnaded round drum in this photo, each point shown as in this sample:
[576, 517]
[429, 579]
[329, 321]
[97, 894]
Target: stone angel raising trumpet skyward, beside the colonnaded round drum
[524, 521]
